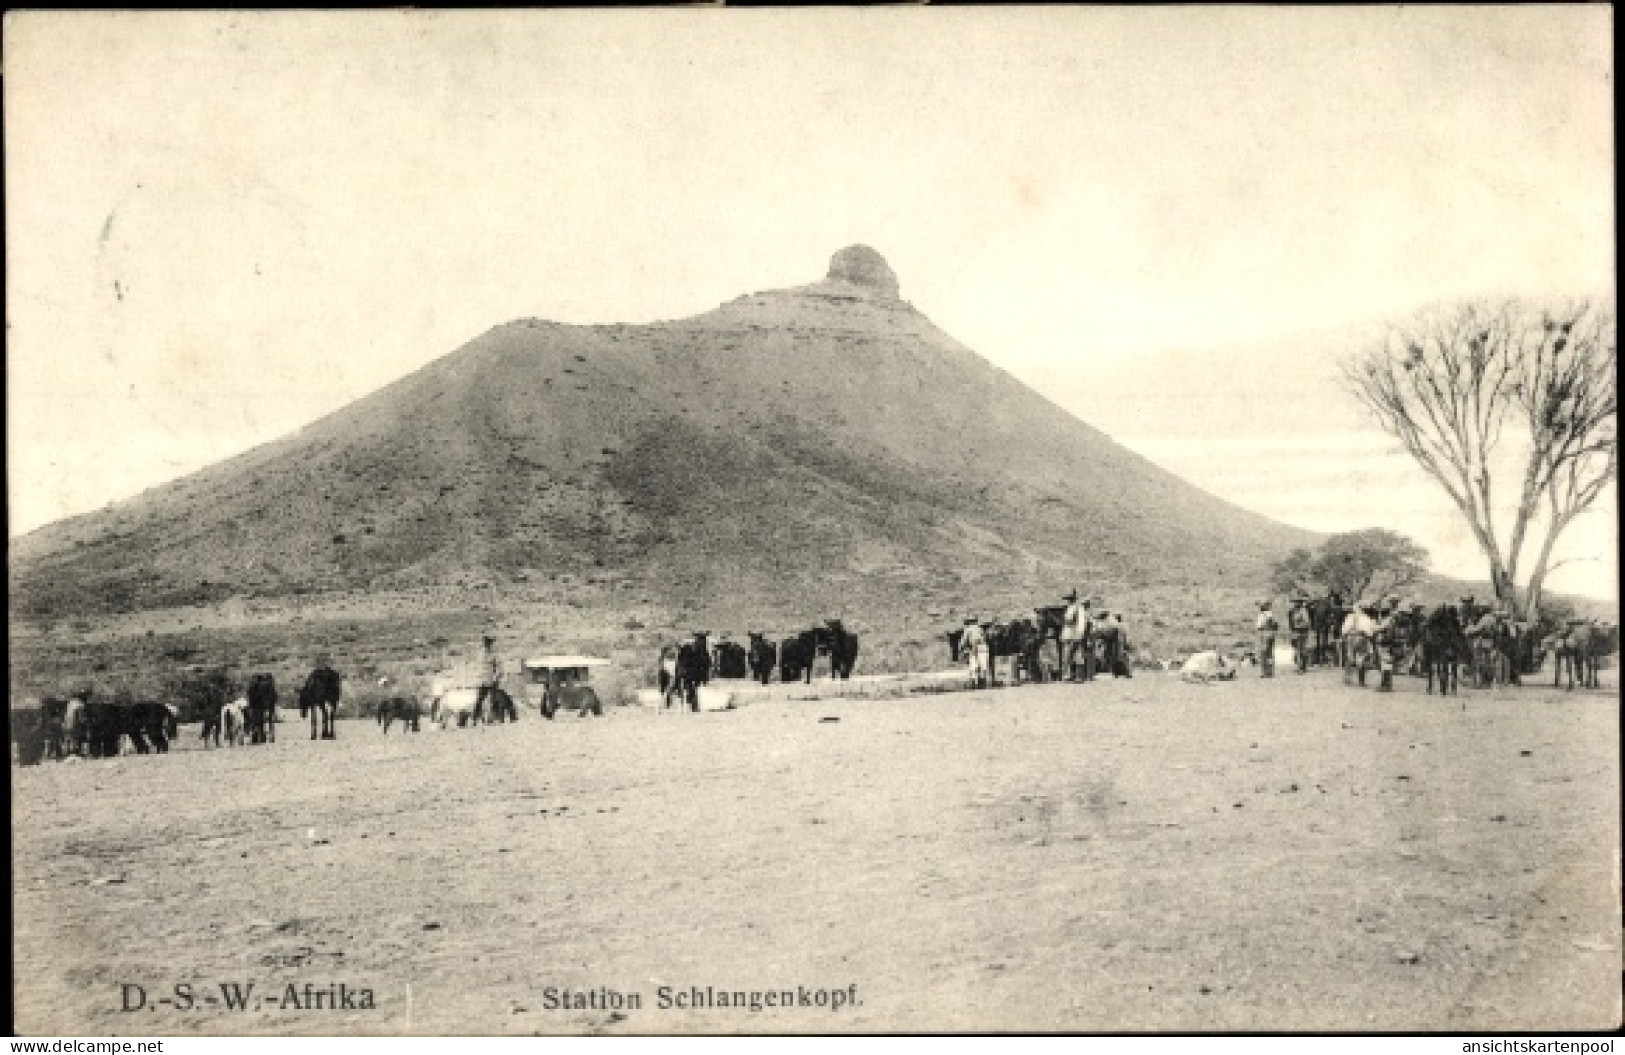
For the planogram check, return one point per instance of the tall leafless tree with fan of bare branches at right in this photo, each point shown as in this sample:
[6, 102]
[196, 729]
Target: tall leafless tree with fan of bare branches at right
[1449, 383]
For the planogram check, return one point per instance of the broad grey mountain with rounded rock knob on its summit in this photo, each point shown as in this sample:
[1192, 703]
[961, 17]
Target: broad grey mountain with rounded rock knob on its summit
[792, 453]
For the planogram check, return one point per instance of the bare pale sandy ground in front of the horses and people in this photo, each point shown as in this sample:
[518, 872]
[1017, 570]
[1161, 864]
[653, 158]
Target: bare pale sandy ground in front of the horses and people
[1129, 856]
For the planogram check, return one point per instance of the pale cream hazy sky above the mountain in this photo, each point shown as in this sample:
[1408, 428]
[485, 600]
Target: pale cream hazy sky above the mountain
[223, 227]
